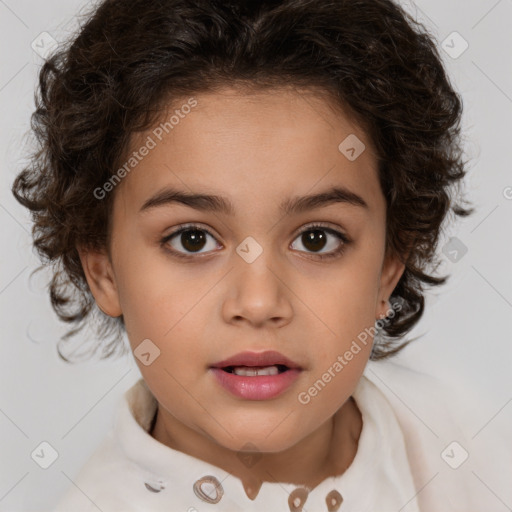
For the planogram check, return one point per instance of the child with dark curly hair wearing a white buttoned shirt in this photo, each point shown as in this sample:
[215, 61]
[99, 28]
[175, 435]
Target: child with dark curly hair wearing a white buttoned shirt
[253, 192]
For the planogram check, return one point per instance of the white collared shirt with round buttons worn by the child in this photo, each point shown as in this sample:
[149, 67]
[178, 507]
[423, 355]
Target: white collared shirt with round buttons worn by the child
[405, 461]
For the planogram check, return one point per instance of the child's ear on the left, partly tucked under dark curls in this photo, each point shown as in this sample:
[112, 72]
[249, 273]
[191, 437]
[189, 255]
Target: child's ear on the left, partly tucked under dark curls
[101, 280]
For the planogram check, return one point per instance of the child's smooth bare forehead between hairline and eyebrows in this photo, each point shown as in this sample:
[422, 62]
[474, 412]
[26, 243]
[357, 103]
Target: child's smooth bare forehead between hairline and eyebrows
[266, 145]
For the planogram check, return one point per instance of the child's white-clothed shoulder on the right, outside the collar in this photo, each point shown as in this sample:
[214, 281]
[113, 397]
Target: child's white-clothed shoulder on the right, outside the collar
[438, 425]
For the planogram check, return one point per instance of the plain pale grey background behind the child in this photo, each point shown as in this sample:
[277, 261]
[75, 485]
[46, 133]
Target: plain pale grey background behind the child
[466, 338]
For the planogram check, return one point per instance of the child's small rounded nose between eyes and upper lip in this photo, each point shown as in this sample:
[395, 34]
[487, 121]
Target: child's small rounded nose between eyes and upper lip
[258, 293]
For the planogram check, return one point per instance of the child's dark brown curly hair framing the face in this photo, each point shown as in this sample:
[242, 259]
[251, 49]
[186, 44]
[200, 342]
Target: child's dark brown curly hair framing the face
[131, 58]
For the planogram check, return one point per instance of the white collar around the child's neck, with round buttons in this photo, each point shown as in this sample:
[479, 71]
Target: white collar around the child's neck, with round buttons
[379, 474]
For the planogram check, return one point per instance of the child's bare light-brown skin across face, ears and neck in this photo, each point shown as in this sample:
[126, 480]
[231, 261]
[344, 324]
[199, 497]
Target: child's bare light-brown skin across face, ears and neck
[256, 149]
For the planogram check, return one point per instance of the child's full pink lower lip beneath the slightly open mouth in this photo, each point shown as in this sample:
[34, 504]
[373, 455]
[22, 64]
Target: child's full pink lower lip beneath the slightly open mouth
[259, 387]
